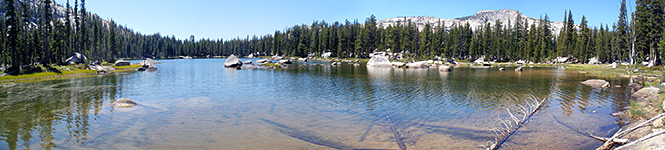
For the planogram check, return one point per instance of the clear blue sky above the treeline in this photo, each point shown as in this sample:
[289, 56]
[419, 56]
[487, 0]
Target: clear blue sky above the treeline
[228, 19]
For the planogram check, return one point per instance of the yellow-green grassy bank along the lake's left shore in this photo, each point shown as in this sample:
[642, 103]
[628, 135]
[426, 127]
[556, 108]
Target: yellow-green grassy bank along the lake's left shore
[60, 72]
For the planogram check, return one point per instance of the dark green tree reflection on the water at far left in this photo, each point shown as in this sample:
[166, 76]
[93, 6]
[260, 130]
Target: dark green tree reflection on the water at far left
[31, 111]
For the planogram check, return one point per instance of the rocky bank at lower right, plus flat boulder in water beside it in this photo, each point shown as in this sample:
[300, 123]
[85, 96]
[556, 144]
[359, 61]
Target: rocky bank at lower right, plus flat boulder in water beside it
[642, 122]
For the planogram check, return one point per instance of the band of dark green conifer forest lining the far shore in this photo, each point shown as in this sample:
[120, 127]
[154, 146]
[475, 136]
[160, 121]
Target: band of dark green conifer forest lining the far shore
[39, 31]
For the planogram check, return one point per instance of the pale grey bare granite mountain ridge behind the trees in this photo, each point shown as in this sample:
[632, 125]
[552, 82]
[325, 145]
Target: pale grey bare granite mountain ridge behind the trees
[476, 21]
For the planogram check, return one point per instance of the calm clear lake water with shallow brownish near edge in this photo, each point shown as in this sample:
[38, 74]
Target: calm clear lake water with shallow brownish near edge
[199, 104]
